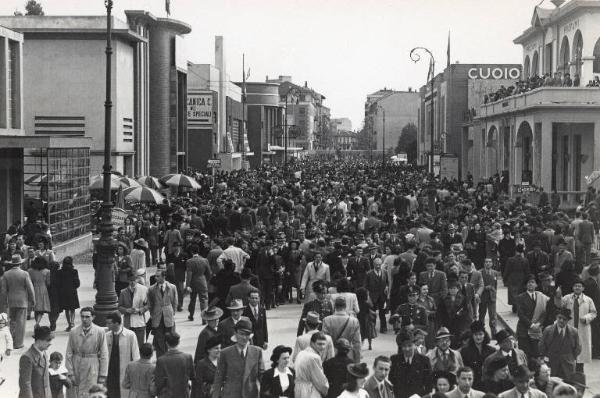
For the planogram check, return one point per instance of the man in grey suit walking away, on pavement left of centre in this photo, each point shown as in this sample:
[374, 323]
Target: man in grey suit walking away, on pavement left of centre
[198, 274]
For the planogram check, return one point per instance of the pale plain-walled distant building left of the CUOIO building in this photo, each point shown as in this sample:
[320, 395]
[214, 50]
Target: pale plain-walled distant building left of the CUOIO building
[400, 107]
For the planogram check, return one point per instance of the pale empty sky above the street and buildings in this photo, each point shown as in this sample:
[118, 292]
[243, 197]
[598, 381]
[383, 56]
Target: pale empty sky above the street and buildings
[344, 49]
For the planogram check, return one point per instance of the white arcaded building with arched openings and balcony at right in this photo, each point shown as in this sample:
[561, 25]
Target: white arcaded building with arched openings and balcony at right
[549, 136]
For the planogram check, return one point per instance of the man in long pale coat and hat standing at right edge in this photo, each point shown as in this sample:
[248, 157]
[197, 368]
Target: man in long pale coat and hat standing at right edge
[583, 312]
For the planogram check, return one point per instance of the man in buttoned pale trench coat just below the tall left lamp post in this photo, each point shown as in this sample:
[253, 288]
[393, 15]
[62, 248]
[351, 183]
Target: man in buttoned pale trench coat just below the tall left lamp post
[86, 356]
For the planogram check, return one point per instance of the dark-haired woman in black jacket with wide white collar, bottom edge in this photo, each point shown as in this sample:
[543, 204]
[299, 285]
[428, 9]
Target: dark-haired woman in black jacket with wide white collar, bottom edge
[278, 381]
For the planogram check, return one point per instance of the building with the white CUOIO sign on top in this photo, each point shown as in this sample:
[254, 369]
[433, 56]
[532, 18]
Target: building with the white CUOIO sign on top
[458, 92]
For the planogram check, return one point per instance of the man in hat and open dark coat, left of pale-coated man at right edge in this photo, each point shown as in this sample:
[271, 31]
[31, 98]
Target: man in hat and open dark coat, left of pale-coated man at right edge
[531, 310]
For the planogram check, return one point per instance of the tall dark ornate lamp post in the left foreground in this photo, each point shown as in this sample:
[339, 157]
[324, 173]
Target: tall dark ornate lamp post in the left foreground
[106, 298]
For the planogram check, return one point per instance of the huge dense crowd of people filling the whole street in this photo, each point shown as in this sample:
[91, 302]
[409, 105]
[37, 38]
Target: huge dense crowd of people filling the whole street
[366, 250]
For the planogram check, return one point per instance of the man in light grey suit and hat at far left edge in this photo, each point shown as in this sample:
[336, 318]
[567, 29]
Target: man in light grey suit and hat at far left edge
[16, 290]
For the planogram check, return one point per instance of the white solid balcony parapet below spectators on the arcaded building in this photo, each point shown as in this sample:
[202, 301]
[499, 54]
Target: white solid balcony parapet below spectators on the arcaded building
[543, 97]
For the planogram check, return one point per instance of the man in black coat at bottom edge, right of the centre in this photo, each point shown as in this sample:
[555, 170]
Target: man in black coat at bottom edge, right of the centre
[410, 373]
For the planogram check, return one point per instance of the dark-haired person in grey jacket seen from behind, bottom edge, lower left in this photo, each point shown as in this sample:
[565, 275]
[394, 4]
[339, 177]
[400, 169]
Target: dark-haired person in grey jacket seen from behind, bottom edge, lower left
[139, 375]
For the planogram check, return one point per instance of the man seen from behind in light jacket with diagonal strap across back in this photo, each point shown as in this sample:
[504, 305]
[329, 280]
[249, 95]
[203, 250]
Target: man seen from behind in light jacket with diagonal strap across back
[340, 324]
